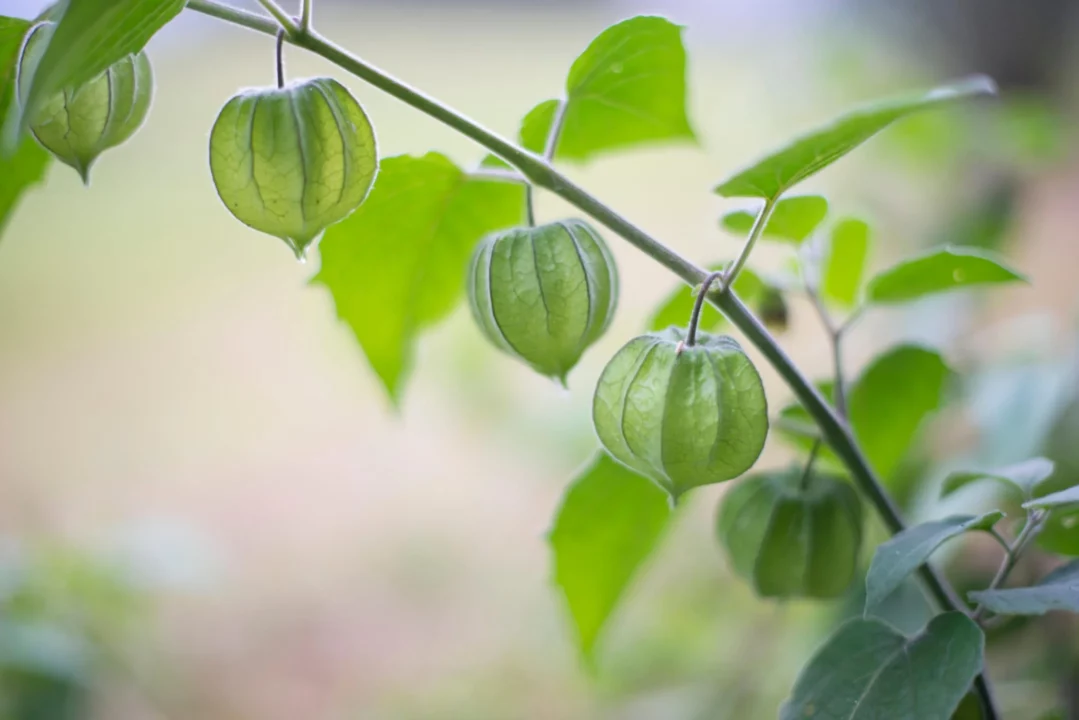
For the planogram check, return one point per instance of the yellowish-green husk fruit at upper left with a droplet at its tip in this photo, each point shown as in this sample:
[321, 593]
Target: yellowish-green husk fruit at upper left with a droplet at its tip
[293, 161]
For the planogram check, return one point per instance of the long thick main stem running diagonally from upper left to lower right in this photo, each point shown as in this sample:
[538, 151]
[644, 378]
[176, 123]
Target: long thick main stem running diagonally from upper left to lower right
[541, 173]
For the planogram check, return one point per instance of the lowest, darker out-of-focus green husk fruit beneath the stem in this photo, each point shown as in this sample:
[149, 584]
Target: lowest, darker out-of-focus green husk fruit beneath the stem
[794, 536]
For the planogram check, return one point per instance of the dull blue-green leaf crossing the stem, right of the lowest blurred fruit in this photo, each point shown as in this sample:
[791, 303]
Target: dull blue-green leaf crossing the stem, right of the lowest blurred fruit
[906, 552]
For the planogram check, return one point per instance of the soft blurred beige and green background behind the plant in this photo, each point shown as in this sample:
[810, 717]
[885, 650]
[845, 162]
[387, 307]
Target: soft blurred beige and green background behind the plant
[210, 510]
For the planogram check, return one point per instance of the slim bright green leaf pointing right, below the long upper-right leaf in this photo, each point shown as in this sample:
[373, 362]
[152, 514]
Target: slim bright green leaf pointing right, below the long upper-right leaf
[940, 271]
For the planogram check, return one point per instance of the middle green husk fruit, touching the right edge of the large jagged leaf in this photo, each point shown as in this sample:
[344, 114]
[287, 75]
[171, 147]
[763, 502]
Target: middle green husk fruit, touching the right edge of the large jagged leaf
[544, 294]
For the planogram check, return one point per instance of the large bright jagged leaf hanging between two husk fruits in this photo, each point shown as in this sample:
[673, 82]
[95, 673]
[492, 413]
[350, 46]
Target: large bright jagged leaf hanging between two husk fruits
[398, 265]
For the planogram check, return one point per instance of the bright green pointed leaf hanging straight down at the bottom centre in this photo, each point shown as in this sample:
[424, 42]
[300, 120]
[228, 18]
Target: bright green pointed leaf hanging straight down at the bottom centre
[609, 524]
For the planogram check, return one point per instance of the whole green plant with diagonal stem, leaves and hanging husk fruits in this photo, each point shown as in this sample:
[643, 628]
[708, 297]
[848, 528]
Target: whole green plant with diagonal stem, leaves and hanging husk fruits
[426, 216]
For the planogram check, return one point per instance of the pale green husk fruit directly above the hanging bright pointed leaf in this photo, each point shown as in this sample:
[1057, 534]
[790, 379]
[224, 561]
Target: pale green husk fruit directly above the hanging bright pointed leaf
[682, 415]
